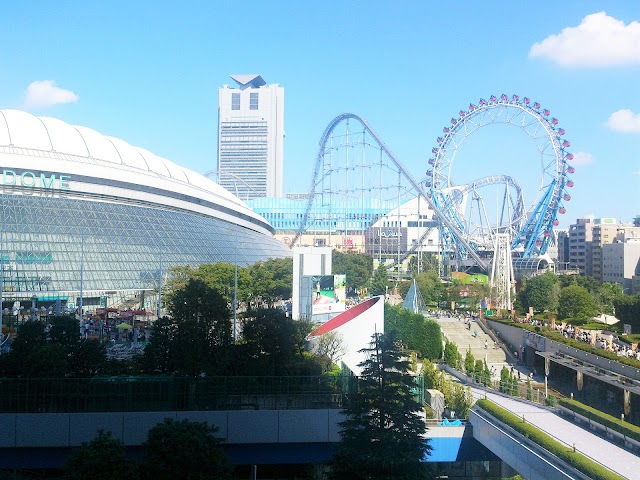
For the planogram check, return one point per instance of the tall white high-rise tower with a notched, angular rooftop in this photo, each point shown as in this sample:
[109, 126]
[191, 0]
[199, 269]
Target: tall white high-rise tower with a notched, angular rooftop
[251, 137]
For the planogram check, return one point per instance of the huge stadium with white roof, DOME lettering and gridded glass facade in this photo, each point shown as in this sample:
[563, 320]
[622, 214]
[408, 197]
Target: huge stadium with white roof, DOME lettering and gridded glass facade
[91, 220]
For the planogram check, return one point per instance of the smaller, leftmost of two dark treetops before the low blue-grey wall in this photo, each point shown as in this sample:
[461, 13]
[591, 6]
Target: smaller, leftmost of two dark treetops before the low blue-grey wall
[103, 458]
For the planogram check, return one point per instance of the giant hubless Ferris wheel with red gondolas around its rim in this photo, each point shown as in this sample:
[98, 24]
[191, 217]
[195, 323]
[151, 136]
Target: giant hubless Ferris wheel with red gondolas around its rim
[470, 223]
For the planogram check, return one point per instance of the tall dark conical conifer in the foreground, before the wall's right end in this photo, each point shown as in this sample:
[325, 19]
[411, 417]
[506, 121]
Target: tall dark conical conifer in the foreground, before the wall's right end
[383, 434]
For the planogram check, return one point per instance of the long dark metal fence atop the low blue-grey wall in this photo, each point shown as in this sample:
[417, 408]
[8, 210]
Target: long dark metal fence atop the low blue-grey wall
[166, 393]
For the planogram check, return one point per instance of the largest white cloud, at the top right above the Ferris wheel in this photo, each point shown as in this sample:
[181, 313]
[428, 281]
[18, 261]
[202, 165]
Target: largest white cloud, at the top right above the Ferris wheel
[599, 41]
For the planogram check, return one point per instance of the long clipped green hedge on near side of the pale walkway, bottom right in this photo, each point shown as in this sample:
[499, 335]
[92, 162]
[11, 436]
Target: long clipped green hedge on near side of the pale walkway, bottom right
[576, 460]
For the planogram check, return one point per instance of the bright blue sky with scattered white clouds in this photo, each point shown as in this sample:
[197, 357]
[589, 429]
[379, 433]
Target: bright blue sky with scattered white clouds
[149, 72]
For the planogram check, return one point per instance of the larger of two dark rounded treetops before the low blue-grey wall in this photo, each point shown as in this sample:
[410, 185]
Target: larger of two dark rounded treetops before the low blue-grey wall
[184, 449]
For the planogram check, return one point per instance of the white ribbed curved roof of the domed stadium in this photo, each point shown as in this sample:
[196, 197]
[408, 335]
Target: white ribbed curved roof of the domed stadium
[55, 146]
